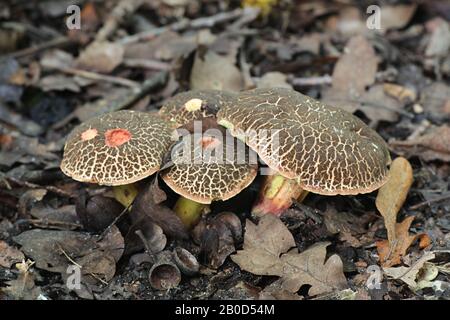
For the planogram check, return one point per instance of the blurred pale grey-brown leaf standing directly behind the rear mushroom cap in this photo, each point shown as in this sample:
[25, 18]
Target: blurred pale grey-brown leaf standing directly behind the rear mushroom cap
[212, 71]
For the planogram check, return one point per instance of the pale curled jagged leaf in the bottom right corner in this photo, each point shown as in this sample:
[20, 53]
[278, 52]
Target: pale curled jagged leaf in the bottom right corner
[414, 274]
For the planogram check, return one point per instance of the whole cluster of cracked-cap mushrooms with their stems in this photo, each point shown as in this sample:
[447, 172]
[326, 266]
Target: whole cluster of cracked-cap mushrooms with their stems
[318, 149]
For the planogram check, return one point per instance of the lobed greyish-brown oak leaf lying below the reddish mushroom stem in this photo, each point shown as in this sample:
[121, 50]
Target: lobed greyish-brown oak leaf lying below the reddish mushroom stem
[264, 253]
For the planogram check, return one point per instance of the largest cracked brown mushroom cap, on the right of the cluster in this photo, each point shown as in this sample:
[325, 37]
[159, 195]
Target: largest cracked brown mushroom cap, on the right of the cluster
[327, 150]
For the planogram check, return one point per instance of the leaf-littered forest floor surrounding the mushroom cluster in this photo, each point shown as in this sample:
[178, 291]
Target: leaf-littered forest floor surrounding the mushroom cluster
[392, 72]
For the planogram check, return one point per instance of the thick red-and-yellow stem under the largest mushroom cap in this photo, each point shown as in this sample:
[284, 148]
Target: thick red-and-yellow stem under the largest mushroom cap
[276, 195]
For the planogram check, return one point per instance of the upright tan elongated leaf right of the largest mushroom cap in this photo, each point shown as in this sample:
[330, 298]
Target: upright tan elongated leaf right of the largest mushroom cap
[392, 195]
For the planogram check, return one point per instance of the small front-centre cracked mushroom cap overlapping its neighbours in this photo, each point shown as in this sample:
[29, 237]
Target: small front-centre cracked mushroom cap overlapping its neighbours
[204, 171]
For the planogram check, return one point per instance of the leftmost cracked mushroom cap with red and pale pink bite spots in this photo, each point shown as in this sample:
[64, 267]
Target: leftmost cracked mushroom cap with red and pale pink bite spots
[116, 148]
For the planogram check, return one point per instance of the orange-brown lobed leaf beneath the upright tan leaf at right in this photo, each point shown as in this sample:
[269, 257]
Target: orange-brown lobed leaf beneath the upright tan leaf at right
[391, 255]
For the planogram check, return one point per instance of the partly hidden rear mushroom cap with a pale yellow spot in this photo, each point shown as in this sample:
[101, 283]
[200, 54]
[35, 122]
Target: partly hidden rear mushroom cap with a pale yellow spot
[194, 105]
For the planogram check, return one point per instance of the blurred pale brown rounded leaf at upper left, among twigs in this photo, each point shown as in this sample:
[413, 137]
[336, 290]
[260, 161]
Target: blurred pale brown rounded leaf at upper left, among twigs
[102, 57]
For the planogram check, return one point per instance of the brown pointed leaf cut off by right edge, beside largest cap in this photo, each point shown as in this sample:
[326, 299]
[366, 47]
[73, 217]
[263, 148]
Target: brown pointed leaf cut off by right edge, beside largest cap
[433, 145]
